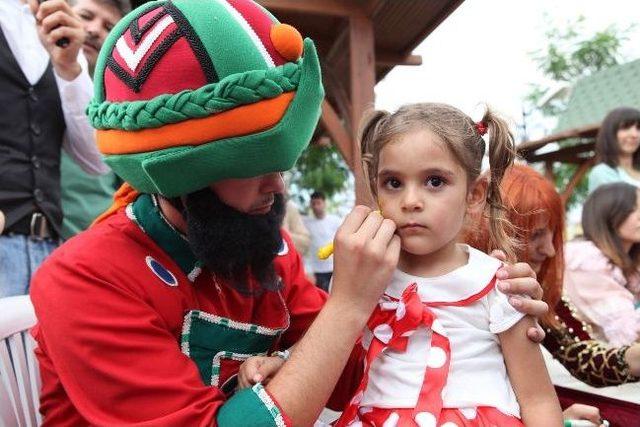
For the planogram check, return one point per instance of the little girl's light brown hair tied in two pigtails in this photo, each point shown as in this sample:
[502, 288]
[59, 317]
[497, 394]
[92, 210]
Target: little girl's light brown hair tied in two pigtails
[462, 136]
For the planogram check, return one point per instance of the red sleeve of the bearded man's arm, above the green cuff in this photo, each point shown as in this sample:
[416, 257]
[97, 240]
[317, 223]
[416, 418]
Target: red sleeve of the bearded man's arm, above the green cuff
[113, 356]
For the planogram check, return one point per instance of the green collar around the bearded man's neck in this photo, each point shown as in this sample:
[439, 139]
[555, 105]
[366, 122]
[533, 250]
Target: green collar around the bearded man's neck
[145, 212]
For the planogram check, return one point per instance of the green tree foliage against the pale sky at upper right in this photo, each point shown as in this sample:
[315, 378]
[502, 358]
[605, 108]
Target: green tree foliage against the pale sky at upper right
[570, 54]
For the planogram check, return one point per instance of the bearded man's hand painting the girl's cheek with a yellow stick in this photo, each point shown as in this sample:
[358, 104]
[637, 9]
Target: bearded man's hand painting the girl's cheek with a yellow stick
[366, 252]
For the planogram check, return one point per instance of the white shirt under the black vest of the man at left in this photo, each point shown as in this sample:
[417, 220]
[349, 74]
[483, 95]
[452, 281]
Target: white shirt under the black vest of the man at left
[19, 29]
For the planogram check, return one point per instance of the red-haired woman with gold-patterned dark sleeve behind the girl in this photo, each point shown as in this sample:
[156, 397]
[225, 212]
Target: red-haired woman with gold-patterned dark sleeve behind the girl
[536, 211]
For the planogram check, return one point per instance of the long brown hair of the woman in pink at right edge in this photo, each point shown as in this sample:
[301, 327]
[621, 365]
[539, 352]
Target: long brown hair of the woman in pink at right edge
[603, 213]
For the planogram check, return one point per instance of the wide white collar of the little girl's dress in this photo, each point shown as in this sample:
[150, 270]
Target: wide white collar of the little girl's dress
[456, 285]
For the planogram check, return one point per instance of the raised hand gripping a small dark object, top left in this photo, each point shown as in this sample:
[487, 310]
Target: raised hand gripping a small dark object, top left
[56, 20]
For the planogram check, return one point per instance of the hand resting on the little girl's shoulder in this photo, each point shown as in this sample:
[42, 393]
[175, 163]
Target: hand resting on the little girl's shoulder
[519, 279]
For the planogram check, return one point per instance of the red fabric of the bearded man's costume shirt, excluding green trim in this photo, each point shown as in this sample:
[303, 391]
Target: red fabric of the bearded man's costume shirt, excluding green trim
[109, 331]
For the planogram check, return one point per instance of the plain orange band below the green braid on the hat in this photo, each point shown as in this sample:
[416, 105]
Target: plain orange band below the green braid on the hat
[243, 120]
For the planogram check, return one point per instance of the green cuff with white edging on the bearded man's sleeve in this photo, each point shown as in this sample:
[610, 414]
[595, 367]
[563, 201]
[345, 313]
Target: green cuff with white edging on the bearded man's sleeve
[251, 407]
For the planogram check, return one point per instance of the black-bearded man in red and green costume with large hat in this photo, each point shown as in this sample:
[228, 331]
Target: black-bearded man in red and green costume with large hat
[145, 318]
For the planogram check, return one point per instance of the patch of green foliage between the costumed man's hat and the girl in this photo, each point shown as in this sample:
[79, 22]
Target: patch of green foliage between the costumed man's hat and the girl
[320, 168]
